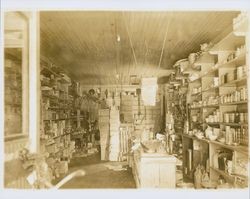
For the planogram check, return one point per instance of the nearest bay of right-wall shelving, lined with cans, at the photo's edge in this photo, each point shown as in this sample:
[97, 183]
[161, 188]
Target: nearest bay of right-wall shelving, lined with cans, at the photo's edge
[233, 108]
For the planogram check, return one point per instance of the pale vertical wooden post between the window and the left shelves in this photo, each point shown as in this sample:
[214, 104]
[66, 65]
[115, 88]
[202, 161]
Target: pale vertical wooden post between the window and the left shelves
[34, 83]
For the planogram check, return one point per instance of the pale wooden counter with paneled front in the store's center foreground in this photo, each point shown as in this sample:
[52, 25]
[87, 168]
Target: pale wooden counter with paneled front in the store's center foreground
[154, 170]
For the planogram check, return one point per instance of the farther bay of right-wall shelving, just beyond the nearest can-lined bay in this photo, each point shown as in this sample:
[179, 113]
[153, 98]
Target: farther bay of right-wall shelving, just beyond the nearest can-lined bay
[201, 92]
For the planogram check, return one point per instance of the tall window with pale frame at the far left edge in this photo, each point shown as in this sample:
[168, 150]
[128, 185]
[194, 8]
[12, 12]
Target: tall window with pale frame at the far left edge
[15, 74]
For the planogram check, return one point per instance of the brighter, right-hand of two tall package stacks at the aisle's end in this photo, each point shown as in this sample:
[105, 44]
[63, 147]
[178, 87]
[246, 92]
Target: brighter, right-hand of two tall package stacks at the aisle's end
[114, 147]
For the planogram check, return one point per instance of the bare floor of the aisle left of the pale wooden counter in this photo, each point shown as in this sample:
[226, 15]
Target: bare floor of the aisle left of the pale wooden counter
[98, 175]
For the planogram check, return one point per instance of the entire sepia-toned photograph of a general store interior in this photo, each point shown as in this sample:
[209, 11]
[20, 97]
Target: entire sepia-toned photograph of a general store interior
[125, 99]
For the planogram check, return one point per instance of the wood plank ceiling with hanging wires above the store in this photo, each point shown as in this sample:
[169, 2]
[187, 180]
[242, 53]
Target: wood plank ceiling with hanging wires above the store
[85, 43]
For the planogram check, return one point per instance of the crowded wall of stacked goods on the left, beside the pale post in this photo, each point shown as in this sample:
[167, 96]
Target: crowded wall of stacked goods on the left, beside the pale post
[60, 118]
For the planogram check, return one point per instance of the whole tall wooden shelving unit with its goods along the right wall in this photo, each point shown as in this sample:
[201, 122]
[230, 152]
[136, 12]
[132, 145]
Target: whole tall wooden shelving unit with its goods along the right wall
[218, 99]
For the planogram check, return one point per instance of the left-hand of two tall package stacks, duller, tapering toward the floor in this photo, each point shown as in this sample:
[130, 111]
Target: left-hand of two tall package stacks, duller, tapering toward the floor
[104, 132]
